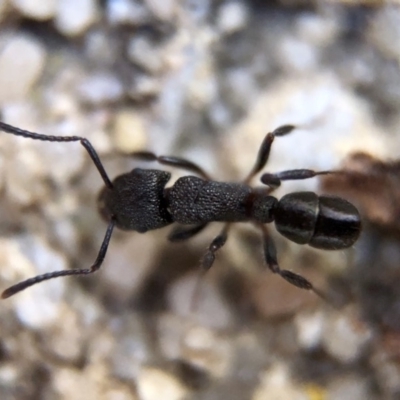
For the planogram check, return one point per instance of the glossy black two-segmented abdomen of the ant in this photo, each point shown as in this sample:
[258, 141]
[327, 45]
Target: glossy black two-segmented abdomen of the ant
[324, 222]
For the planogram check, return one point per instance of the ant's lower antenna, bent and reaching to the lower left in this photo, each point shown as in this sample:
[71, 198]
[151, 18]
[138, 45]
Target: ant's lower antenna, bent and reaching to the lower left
[50, 275]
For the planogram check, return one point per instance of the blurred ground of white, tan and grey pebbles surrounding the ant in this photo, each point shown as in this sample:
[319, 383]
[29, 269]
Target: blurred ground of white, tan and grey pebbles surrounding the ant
[205, 80]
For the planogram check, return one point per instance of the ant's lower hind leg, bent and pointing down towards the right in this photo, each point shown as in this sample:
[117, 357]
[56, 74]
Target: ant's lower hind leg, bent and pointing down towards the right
[272, 262]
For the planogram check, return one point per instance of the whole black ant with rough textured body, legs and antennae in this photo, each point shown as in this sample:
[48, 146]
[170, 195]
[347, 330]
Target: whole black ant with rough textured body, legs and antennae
[139, 201]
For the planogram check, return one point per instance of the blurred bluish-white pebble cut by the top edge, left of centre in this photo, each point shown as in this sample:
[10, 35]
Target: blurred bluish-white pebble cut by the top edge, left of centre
[73, 17]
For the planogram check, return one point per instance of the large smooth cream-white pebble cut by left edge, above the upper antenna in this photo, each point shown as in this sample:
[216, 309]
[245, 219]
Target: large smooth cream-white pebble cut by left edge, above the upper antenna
[22, 60]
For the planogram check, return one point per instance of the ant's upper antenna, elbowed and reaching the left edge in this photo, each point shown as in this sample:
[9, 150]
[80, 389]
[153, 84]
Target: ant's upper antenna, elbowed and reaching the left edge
[49, 138]
